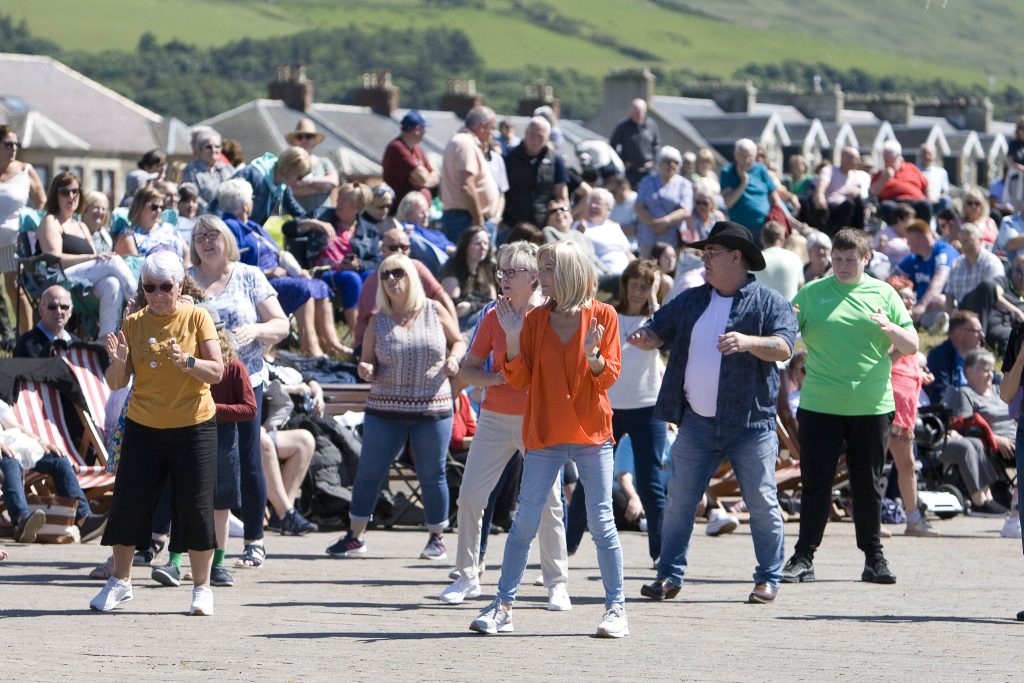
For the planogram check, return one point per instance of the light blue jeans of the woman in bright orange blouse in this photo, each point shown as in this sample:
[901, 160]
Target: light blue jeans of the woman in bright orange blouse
[539, 472]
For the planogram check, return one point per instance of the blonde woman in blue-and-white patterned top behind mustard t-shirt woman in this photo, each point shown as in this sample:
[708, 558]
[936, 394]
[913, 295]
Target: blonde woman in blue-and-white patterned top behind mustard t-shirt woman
[250, 310]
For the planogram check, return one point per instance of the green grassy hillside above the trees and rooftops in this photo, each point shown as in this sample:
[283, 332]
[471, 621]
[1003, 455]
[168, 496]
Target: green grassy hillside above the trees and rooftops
[960, 42]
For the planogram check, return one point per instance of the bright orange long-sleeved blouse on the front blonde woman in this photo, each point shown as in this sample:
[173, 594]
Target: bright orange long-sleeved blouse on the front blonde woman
[567, 404]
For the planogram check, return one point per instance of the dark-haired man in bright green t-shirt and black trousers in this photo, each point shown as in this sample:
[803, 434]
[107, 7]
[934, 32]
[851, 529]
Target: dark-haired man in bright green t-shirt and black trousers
[849, 323]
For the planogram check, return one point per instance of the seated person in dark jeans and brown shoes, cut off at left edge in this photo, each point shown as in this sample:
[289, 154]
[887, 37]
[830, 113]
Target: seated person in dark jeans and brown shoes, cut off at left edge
[21, 450]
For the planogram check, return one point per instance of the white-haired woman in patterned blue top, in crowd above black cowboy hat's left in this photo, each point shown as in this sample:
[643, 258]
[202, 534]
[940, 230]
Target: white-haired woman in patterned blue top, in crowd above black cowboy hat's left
[665, 200]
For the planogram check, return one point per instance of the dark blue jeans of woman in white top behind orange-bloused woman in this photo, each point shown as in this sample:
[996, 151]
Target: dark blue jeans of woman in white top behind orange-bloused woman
[648, 436]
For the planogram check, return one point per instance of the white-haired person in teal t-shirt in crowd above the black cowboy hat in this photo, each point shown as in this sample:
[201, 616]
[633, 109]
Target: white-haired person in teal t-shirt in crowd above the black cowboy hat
[748, 190]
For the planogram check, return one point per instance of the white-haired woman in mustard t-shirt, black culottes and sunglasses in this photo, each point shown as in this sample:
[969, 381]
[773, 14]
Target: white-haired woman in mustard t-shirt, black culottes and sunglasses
[173, 352]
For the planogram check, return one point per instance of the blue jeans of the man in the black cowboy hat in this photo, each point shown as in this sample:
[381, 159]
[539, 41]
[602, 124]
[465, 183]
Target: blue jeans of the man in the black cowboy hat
[697, 455]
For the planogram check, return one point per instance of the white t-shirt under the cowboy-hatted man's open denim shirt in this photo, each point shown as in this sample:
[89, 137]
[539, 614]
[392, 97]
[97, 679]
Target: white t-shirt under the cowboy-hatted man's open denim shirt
[704, 365]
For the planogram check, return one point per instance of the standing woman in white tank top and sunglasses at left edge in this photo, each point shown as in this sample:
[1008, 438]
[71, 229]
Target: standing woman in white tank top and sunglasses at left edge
[19, 184]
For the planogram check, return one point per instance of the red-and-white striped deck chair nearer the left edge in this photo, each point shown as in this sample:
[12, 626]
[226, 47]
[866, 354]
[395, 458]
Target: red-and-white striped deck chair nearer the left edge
[39, 410]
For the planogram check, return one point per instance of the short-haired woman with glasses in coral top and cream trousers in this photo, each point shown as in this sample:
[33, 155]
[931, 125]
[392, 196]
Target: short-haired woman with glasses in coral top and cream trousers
[499, 438]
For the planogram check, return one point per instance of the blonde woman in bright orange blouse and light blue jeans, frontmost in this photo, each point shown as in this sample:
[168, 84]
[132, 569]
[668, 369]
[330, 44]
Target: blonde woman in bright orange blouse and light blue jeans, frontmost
[567, 353]
